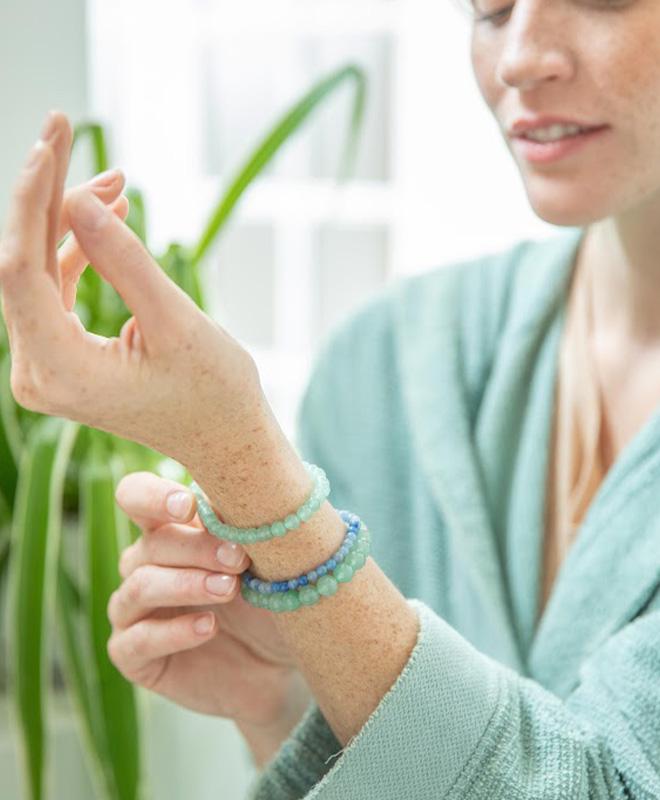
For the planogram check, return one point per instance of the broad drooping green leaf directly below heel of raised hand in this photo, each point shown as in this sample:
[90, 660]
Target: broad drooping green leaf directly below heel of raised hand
[35, 540]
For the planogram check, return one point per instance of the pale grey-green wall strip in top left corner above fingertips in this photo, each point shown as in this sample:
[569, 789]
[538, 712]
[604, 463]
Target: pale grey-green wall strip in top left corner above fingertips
[42, 66]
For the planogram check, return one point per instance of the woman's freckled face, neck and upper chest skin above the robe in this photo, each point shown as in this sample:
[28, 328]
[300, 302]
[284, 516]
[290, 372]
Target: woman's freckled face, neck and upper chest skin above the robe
[597, 61]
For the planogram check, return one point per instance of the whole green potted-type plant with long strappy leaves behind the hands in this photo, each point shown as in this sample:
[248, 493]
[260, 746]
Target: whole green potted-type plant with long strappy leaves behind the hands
[61, 530]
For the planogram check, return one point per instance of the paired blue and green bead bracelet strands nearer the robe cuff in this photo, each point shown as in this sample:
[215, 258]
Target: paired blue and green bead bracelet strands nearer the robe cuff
[284, 595]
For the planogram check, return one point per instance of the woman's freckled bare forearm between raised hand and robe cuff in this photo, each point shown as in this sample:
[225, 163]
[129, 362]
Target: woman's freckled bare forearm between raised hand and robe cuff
[350, 647]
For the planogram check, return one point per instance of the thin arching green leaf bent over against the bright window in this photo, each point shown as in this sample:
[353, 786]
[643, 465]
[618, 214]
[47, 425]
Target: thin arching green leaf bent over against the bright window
[281, 133]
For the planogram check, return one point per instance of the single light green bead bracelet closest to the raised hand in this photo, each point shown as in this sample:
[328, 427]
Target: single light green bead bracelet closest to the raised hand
[320, 490]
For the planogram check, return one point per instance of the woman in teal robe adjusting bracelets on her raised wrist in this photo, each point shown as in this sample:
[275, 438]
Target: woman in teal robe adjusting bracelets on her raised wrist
[492, 421]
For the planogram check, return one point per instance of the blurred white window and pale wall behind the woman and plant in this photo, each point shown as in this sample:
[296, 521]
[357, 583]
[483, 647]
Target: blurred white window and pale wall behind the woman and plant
[185, 89]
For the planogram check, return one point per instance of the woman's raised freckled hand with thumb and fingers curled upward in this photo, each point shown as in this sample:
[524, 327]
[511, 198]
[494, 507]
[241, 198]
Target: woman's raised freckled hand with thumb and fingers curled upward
[172, 373]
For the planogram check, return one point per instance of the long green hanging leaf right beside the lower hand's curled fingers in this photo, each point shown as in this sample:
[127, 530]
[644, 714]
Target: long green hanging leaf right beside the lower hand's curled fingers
[106, 534]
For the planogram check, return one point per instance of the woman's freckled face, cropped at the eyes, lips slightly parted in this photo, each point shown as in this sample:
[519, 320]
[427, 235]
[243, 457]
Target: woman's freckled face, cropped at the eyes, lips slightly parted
[593, 61]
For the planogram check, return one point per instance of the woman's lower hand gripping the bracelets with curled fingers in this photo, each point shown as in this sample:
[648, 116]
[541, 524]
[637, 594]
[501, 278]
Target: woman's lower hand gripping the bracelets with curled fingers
[238, 668]
